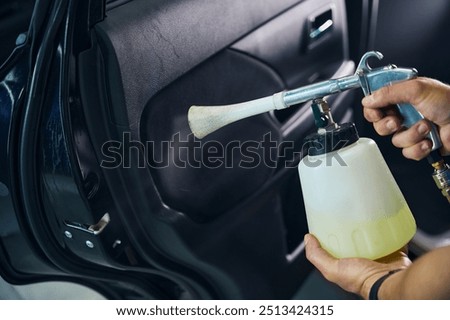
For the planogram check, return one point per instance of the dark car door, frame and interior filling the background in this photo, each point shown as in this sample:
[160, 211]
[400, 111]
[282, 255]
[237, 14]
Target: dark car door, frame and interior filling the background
[102, 184]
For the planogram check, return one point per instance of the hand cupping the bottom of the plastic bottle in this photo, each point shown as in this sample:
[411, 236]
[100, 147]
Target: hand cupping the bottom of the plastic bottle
[355, 275]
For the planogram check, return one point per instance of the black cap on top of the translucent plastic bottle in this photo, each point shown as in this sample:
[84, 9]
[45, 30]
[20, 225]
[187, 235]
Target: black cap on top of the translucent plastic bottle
[320, 143]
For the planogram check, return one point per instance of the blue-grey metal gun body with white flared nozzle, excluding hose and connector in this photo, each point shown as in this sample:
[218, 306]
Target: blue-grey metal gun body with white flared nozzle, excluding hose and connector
[205, 120]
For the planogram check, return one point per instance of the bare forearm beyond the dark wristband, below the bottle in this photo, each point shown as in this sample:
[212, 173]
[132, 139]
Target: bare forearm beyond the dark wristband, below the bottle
[427, 278]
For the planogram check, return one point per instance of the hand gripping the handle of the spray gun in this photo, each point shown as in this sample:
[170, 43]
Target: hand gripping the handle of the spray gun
[430, 97]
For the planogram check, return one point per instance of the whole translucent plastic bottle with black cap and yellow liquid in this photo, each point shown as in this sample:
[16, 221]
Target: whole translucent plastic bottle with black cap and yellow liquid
[353, 204]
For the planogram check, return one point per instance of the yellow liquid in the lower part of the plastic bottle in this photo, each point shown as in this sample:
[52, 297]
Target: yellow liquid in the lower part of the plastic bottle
[370, 239]
